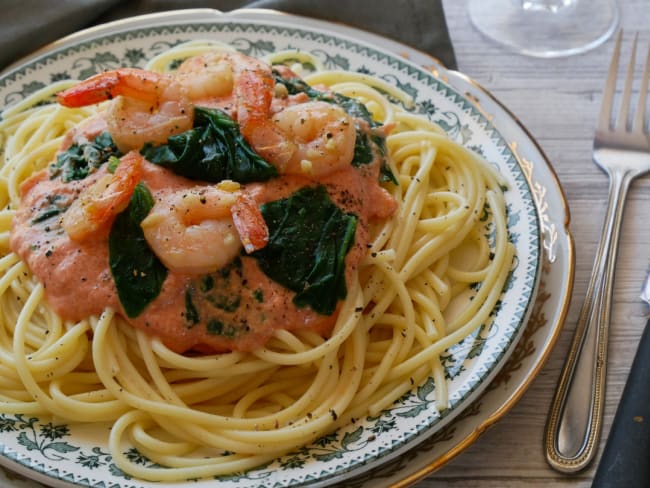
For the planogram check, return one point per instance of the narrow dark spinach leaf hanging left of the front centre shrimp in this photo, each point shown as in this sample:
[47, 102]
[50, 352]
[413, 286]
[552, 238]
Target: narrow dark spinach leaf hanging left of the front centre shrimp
[137, 272]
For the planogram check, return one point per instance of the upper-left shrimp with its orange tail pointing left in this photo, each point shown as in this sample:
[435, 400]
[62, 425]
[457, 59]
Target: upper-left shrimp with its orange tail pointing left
[146, 106]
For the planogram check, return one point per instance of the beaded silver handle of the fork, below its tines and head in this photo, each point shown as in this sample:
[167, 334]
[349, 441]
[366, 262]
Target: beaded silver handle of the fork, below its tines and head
[574, 422]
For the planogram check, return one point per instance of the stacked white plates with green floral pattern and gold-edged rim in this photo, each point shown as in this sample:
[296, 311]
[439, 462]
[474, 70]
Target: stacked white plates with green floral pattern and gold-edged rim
[71, 455]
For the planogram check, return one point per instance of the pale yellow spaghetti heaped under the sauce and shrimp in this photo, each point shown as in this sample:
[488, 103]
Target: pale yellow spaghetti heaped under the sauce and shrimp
[215, 414]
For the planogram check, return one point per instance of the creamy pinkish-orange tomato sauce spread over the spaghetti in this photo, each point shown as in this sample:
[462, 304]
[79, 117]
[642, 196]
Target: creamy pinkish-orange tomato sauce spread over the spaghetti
[235, 308]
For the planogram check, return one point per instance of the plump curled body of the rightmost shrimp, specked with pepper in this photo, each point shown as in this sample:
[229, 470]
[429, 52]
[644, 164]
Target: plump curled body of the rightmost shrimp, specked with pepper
[323, 137]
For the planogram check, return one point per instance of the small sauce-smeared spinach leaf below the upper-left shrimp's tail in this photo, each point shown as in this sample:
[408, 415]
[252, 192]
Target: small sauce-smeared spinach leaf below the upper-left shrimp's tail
[80, 160]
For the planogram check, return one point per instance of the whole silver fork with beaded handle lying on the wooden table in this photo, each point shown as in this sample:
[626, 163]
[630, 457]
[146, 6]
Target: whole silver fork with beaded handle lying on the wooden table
[622, 150]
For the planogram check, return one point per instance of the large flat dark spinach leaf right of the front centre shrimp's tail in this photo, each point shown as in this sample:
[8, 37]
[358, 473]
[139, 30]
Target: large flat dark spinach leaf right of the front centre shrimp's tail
[309, 237]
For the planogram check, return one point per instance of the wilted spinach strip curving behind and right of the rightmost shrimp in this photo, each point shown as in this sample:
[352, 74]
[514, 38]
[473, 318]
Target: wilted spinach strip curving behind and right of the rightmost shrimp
[365, 143]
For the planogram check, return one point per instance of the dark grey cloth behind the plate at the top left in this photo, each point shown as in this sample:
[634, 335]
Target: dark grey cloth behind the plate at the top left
[26, 25]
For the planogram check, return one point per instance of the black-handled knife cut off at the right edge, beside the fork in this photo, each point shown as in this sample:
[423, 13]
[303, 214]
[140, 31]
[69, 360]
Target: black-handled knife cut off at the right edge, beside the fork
[626, 459]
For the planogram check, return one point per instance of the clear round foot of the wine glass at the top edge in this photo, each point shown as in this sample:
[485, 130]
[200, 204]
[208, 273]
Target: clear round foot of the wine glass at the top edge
[546, 28]
